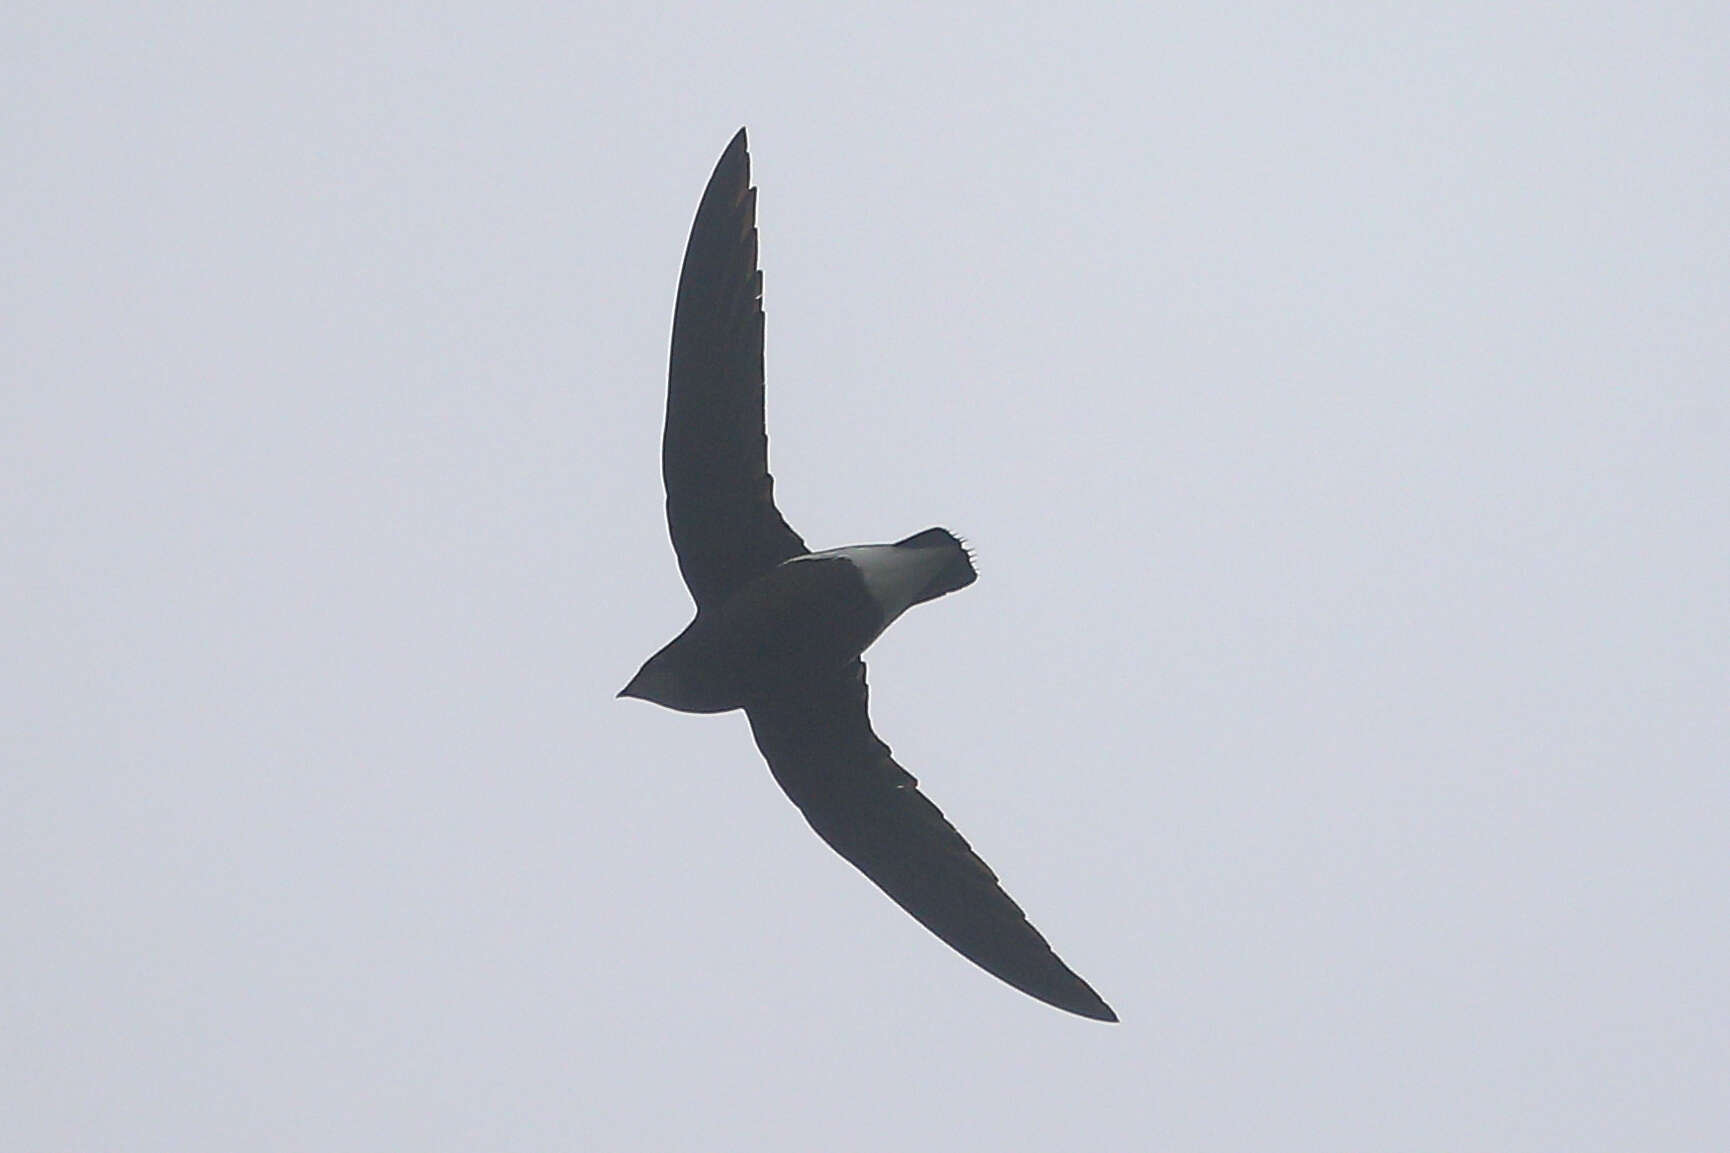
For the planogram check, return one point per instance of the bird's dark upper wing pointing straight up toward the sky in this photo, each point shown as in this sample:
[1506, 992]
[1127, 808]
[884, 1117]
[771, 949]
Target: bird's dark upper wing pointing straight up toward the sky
[721, 499]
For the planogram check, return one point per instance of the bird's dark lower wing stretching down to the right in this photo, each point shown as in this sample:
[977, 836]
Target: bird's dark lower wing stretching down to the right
[824, 754]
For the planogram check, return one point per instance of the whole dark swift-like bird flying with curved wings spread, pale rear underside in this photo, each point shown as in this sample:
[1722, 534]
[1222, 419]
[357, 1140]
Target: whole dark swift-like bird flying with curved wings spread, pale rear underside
[781, 629]
